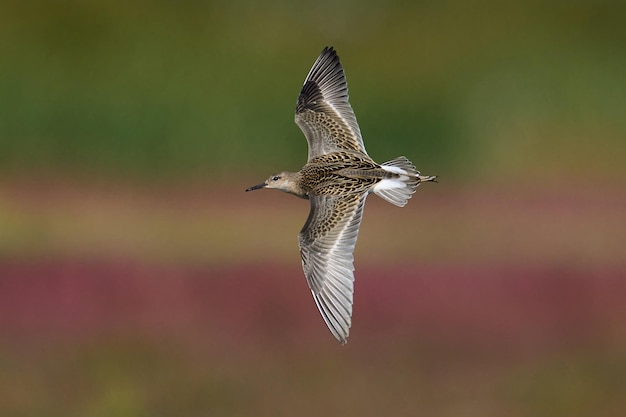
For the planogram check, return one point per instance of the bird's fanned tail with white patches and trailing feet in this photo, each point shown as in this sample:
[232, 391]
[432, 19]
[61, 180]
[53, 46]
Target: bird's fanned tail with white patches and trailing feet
[401, 183]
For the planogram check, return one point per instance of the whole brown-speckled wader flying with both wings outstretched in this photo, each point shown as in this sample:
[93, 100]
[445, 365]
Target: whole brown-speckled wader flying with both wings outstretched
[337, 178]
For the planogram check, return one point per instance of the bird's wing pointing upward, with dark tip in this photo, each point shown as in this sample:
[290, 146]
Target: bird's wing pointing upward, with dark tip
[323, 111]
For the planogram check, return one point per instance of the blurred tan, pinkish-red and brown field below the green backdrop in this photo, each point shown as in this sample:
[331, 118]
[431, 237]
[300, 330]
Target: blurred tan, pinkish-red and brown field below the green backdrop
[484, 301]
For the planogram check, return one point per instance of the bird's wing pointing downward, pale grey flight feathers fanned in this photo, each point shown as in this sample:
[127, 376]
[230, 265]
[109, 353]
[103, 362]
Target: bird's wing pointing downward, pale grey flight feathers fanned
[327, 243]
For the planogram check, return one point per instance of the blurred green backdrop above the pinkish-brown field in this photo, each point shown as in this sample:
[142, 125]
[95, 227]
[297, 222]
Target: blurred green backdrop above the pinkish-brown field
[162, 90]
